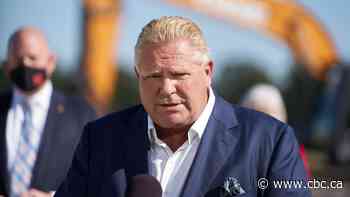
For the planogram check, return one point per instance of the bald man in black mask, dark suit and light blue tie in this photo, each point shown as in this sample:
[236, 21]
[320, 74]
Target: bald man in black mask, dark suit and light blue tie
[39, 127]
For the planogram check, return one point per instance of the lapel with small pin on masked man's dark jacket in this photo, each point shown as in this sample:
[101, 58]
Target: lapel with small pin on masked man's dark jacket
[53, 117]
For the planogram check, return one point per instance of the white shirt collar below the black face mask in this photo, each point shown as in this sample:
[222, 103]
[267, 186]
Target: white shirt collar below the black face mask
[40, 98]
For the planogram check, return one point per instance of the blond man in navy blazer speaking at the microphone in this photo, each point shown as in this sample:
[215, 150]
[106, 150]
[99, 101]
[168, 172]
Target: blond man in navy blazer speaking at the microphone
[183, 134]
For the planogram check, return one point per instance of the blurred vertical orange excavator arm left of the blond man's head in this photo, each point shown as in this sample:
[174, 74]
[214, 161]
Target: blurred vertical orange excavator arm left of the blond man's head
[101, 30]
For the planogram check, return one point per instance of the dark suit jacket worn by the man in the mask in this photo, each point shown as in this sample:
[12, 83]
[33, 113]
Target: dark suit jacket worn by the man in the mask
[65, 120]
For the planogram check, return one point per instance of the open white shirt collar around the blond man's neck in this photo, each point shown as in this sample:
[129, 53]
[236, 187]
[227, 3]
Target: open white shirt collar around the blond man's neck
[198, 127]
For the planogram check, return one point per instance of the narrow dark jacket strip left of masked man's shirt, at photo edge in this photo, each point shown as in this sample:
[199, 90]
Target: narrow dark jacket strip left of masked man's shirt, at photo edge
[4, 108]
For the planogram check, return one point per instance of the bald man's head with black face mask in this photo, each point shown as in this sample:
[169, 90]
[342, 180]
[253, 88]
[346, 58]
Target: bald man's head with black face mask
[30, 62]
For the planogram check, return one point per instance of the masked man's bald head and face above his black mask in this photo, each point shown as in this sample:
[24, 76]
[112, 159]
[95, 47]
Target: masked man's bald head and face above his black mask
[30, 50]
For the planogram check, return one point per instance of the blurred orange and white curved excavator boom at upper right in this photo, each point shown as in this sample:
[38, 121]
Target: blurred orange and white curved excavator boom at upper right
[285, 20]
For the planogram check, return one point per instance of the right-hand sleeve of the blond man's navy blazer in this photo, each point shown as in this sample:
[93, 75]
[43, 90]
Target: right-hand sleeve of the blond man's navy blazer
[286, 165]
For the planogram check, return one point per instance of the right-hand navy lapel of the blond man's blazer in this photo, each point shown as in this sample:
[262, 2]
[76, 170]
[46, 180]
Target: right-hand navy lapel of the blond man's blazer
[217, 144]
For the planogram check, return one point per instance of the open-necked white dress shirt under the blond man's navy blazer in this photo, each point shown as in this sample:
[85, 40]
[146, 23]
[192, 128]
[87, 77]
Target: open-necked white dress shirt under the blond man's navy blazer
[171, 168]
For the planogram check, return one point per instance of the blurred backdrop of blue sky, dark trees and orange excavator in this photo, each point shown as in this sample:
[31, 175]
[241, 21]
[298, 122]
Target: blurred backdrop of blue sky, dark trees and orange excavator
[299, 47]
